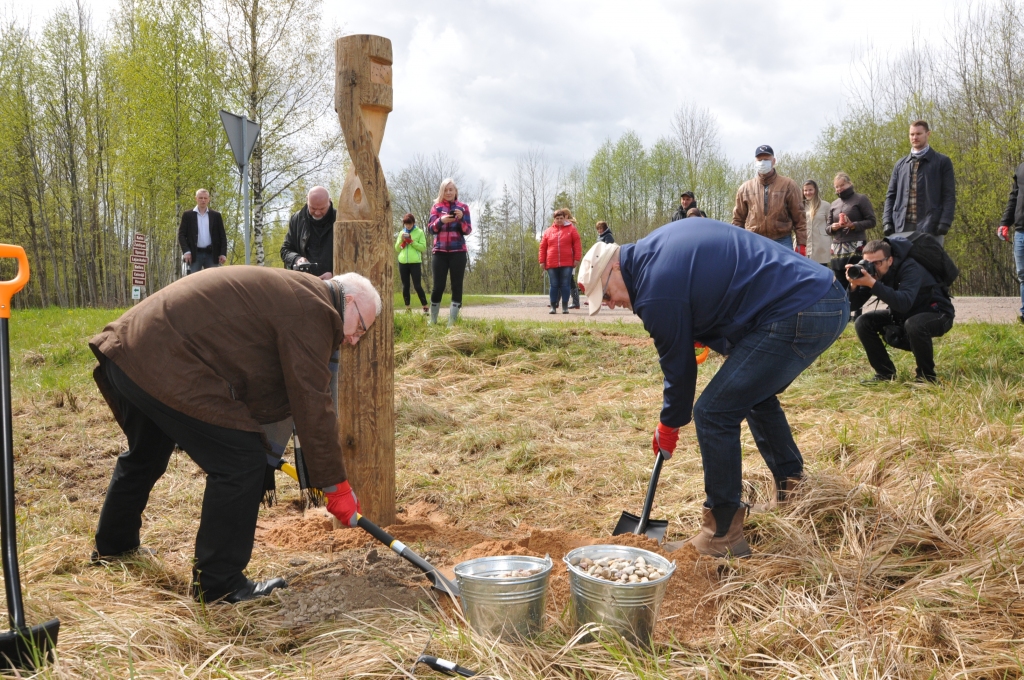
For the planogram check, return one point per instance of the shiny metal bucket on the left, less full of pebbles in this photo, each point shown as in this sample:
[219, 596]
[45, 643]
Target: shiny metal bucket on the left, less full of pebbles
[504, 608]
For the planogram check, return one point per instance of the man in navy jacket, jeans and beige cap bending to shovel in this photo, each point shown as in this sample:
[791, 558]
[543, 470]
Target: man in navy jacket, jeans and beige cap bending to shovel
[772, 312]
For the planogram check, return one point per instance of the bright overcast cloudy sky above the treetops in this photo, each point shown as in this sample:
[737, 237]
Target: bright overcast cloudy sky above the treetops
[488, 80]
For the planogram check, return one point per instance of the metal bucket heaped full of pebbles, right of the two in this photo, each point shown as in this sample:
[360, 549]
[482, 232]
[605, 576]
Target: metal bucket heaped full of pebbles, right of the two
[631, 610]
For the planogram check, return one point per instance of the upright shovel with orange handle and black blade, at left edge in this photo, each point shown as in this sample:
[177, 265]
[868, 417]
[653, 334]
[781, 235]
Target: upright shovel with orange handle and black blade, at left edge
[22, 647]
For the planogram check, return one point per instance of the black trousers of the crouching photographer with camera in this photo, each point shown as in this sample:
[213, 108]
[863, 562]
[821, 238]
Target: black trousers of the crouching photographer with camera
[920, 330]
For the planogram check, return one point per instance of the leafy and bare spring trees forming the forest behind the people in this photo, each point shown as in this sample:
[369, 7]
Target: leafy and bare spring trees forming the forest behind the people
[106, 133]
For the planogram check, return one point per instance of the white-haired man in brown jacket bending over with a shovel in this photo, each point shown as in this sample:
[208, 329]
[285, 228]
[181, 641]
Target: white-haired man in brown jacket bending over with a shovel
[205, 364]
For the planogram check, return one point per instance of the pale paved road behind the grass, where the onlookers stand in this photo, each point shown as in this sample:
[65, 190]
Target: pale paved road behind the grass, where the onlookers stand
[535, 308]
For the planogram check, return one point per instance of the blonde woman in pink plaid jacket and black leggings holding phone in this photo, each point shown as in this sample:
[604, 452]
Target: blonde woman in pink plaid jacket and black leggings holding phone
[450, 223]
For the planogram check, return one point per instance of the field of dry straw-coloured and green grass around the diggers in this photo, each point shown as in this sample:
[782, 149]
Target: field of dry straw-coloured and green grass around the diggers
[903, 560]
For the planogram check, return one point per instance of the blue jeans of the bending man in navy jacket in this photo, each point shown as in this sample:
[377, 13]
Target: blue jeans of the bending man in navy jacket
[759, 368]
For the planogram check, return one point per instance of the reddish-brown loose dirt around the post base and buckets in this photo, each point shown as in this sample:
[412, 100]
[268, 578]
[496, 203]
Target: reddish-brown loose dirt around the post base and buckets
[380, 579]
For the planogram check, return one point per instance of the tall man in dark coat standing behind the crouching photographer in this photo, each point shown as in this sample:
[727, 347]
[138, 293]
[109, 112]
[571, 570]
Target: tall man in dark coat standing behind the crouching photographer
[922, 194]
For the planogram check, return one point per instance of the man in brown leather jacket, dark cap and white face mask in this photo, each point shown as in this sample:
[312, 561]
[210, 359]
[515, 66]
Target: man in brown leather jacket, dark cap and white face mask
[772, 205]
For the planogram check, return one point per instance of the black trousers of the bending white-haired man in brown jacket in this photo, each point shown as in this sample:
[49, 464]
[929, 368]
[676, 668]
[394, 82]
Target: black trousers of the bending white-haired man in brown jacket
[235, 462]
